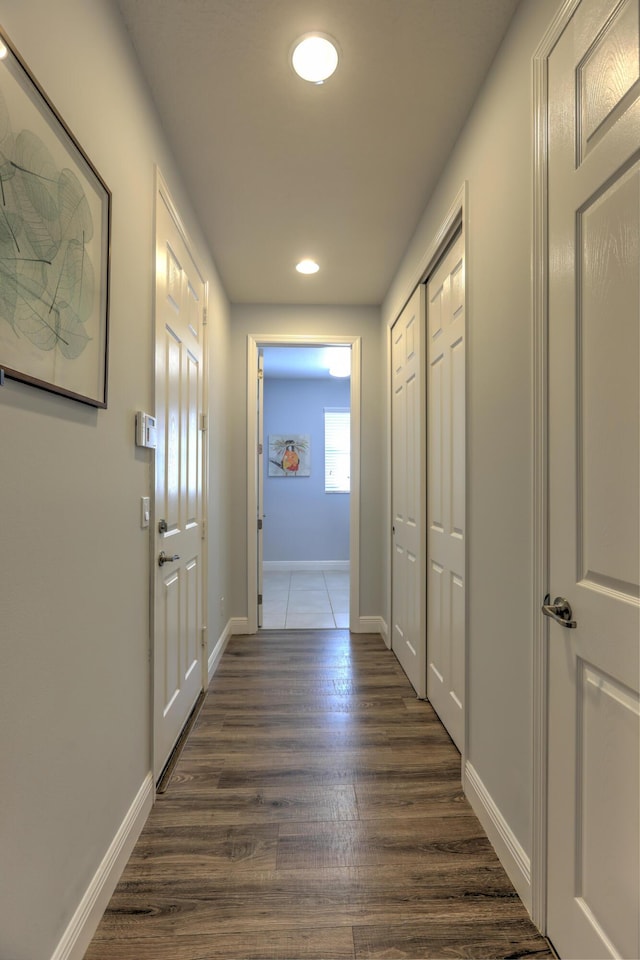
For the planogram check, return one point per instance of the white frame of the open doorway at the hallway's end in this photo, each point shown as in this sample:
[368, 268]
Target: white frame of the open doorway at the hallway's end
[254, 342]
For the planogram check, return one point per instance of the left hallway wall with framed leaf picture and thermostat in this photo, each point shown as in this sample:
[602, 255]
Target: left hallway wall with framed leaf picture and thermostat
[74, 564]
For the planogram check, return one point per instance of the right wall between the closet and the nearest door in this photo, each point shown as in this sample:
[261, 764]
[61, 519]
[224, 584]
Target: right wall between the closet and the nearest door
[495, 155]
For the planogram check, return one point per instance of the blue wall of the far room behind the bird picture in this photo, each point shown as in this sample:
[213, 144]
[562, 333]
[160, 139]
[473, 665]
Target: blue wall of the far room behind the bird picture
[302, 521]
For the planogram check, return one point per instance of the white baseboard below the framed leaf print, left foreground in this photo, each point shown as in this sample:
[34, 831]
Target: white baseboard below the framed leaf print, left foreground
[79, 933]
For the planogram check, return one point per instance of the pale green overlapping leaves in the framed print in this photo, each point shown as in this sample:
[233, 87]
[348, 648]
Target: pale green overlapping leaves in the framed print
[47, 279]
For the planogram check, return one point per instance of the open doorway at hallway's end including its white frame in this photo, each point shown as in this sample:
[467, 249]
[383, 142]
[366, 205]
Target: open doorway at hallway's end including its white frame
[303, 525]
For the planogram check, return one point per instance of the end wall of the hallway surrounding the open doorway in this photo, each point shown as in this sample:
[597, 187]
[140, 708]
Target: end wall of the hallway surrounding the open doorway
[314, 321]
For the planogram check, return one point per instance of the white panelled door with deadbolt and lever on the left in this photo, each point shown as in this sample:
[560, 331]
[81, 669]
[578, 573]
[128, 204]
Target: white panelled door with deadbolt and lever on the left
[178, 650]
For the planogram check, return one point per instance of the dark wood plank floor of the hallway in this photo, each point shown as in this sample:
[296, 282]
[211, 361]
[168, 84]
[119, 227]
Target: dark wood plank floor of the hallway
[316, 812]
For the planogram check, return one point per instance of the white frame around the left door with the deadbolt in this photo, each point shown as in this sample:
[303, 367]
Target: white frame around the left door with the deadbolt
[162, 195]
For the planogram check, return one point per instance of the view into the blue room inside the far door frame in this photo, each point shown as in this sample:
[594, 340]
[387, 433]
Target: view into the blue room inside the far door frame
[306, 487]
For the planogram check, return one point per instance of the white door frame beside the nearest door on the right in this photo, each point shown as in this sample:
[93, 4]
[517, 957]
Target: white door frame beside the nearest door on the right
[540, 372]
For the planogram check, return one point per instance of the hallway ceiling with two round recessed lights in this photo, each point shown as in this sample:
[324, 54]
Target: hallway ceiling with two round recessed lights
[281, 169]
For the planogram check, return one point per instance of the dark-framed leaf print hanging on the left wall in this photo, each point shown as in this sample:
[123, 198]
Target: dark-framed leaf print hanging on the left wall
[55, 231]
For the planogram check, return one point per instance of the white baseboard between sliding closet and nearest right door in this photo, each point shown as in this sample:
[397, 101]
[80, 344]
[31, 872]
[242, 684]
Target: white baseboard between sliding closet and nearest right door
[510, 852]
